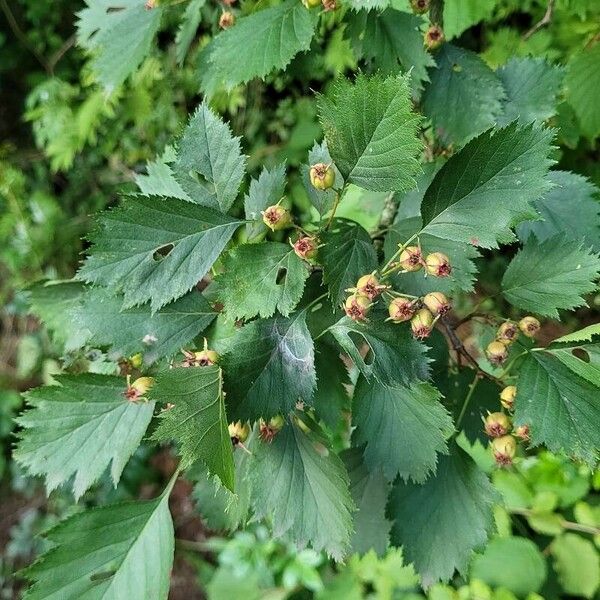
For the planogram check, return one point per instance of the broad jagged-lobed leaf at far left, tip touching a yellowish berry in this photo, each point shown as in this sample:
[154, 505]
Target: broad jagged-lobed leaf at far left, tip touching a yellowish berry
[78, 428]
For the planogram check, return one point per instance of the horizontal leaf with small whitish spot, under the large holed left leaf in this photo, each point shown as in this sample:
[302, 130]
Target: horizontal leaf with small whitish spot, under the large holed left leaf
[104, 323]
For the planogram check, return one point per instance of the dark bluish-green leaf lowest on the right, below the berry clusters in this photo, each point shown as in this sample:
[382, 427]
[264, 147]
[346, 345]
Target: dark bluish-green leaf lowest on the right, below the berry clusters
[451, 511]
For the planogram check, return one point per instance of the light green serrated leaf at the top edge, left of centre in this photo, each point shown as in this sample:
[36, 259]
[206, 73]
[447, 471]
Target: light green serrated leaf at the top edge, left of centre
[270, 39]
